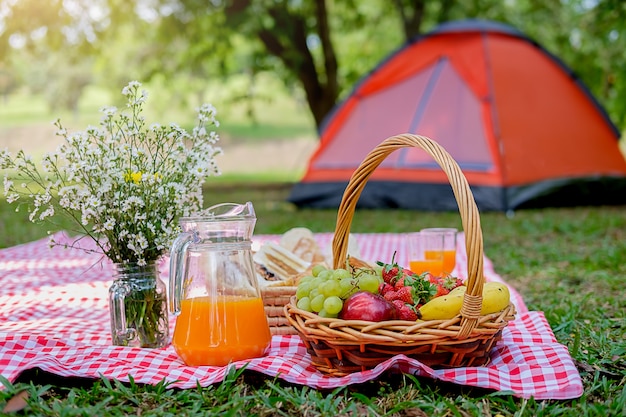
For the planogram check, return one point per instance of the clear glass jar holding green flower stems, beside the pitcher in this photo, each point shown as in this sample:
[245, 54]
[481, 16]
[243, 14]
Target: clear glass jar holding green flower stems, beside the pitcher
[138, 306]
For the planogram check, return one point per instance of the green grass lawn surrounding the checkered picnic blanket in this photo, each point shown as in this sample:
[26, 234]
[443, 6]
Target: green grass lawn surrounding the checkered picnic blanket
[569, 263]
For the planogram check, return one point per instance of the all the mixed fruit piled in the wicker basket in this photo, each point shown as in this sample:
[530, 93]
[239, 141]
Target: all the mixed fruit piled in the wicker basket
[389, 292]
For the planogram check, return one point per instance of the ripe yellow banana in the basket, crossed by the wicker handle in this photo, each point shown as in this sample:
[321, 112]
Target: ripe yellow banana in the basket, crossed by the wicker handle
[496, 297]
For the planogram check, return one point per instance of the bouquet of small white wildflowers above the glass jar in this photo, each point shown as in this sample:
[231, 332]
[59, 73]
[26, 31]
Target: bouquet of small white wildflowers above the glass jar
[123, 183]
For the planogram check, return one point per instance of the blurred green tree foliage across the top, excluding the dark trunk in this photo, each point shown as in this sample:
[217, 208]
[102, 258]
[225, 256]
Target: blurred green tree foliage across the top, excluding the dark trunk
[189, 48]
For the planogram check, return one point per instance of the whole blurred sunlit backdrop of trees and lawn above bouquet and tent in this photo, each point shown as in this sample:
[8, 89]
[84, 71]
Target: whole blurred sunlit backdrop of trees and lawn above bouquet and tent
[273, 69]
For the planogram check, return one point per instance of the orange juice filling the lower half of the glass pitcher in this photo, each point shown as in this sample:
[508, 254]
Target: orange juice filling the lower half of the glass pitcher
[218, 330]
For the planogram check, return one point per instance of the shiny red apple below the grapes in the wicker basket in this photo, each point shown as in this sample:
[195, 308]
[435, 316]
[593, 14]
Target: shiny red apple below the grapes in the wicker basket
[364, 305]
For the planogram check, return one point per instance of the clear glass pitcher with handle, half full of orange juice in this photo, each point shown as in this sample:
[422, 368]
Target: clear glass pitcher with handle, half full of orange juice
[213, 288]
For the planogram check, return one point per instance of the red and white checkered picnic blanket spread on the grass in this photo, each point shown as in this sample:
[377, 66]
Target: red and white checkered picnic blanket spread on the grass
[54, 316]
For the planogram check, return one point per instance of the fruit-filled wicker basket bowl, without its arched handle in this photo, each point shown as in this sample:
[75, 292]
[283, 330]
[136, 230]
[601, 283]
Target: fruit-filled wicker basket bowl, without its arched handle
[355, 317]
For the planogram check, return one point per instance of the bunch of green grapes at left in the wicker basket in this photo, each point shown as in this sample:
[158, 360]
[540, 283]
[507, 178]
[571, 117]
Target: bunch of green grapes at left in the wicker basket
[324, 290]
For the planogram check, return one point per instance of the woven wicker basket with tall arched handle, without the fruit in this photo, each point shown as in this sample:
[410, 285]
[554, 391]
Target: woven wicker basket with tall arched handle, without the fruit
[339, 347]
